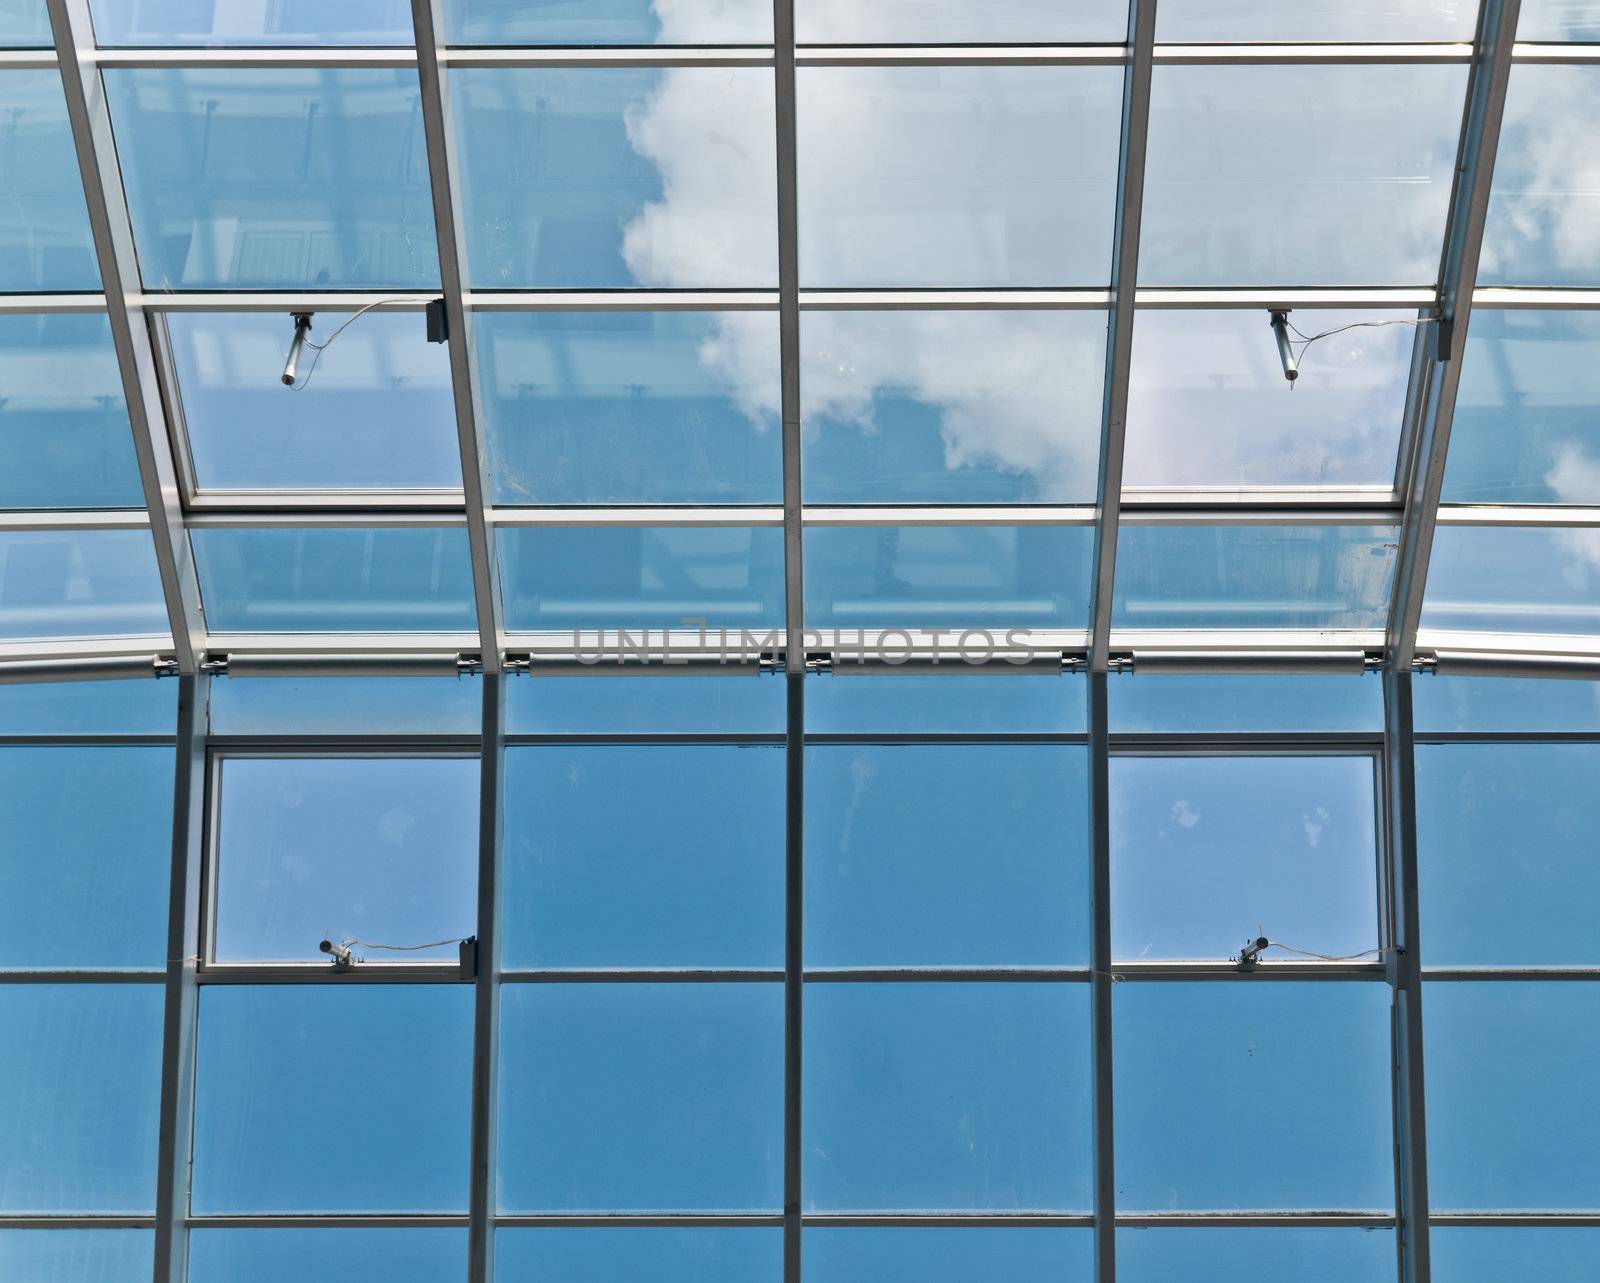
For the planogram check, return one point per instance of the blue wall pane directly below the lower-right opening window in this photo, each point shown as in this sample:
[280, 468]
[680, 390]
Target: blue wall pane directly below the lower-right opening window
[1214, 1089]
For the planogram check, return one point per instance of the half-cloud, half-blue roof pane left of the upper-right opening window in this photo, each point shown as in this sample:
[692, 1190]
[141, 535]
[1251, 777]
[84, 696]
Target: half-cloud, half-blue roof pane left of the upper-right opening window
[951, 407]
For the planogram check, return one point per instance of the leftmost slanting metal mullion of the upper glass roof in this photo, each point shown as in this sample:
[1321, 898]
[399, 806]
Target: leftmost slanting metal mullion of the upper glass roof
[114, 250]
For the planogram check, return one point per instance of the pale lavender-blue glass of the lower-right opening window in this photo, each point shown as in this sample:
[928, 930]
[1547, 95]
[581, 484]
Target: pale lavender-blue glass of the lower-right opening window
[1209, 853]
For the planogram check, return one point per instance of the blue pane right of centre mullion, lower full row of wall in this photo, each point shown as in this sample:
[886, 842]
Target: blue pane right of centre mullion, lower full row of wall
[948, 1097]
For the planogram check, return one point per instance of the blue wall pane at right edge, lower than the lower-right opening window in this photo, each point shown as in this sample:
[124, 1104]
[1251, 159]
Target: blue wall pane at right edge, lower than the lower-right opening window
[1511, 1119]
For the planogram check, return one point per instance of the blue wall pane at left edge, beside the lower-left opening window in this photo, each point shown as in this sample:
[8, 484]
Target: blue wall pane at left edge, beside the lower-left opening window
[87, 857]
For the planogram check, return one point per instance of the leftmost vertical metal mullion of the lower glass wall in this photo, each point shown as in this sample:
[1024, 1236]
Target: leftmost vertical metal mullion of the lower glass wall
[175, 1140]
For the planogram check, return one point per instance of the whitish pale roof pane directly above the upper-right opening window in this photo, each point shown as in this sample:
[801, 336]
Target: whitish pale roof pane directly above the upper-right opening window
[1313, 175]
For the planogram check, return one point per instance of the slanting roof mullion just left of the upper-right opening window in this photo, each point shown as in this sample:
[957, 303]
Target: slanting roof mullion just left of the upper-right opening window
[1119, 340]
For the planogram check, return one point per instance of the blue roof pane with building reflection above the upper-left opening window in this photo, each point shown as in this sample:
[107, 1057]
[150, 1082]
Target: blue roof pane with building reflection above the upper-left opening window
[276, 178]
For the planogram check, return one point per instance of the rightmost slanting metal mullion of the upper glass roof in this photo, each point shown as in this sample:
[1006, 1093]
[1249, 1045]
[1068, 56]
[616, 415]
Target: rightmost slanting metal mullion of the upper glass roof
[1436, 377]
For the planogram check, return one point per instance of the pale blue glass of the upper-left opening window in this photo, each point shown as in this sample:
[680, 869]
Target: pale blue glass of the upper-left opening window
[372, 412]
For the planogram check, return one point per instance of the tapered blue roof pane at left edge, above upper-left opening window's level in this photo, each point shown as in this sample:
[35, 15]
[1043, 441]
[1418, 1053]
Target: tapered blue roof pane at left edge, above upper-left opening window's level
[44, 223]
